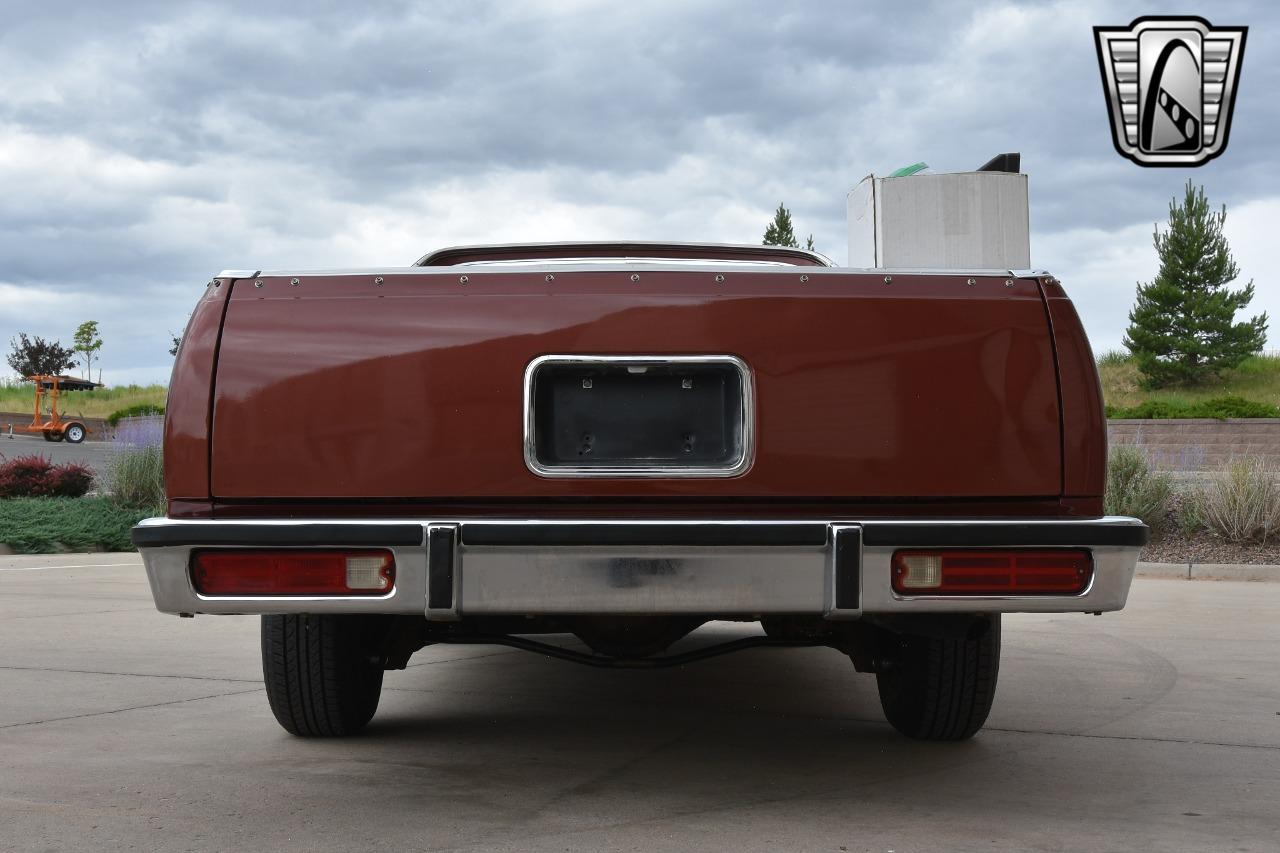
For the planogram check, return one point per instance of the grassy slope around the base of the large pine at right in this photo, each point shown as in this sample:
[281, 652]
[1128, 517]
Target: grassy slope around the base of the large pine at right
[1258, 380]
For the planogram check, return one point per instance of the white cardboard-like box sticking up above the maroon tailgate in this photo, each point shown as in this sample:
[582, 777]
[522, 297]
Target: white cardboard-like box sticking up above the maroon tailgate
[958, 221]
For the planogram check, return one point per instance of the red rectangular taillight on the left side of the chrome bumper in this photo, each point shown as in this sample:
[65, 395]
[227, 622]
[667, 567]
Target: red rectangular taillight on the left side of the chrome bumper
[294, 573]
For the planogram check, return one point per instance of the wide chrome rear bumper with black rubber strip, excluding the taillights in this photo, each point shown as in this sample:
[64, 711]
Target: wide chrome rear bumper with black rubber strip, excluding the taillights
[451, 569]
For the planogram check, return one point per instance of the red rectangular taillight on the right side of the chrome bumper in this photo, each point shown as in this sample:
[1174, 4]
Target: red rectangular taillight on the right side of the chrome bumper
[993, 573]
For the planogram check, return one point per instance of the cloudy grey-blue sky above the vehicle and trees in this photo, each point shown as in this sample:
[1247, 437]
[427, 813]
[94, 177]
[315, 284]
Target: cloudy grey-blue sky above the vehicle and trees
[145, 147]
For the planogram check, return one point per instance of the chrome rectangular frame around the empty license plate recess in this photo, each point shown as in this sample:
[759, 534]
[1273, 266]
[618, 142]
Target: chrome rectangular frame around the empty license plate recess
[747, 412]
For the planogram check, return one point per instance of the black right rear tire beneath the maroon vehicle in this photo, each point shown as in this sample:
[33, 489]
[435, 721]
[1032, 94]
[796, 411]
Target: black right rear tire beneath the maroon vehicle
[941, 690]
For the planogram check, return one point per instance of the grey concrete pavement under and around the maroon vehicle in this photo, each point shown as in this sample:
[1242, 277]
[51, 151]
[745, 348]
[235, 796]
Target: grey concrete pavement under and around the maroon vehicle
[1154, 729]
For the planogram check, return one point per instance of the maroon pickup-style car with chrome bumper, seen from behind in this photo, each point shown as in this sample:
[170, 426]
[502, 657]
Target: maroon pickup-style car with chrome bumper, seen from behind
[625, 441]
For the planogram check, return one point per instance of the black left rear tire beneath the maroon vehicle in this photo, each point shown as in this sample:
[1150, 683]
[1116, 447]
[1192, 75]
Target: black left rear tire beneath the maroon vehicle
[323, 678]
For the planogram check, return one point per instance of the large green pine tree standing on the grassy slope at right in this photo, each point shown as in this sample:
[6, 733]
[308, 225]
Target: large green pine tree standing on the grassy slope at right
[1182, 329]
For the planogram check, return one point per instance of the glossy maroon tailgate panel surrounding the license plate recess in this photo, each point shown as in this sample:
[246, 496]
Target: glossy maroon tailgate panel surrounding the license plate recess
[412, 386]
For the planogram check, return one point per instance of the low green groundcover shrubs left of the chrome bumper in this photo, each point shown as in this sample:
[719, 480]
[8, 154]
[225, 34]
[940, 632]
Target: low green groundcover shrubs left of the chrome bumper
[34, 526]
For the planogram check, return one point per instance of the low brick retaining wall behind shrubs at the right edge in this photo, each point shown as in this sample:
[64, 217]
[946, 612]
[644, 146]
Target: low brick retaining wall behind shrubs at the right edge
[1200, 444]
